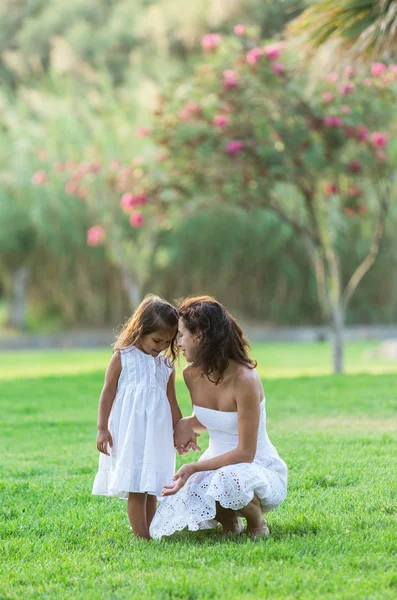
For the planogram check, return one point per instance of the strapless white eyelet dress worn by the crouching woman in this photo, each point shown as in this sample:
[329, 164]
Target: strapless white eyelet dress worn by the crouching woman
[234, 486]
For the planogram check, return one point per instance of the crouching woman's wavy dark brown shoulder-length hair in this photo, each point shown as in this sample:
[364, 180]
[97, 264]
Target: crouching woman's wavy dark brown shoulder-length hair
[222, 338]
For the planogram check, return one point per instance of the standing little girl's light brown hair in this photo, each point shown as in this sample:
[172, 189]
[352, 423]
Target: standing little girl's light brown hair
[153, 314]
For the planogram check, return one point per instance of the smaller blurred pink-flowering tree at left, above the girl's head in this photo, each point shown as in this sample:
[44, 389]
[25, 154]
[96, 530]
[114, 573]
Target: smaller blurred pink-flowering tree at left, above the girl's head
[124, 219]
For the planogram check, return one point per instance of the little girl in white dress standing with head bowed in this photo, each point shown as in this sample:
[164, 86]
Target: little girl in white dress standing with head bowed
[138, 411]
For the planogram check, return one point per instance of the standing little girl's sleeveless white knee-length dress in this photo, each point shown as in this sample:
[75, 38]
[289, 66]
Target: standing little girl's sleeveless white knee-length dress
[143, 456]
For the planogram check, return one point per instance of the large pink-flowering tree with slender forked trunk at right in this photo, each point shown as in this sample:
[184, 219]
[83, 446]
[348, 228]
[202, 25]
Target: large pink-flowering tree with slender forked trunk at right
[248, 130]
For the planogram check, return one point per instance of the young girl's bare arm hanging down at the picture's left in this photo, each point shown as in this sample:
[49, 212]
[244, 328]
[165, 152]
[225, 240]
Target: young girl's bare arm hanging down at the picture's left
[106, 402]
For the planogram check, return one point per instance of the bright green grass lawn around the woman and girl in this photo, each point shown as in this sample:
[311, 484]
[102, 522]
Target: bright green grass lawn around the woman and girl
[334, 537]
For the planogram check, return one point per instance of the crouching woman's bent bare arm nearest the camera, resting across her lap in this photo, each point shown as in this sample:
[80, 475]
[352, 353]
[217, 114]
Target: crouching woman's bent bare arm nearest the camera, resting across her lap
[248, 398]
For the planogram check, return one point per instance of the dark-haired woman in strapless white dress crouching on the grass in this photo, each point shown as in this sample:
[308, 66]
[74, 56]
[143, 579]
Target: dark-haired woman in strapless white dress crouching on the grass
[241, 473]
